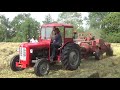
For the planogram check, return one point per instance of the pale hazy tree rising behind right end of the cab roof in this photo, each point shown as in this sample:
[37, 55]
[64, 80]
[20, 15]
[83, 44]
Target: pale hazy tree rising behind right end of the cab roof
[73, 18]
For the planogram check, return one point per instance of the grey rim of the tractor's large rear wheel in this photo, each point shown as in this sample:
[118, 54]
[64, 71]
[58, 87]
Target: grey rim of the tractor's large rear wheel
[73, 57]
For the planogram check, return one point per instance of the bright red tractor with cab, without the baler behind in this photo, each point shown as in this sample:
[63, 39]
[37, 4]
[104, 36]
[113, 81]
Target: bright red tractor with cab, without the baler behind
[38, 54]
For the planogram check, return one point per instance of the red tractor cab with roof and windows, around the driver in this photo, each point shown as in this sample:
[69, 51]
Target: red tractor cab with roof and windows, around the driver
[66, 31]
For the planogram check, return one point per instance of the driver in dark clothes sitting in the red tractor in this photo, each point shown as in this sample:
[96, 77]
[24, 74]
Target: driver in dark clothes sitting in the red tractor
[56, 43]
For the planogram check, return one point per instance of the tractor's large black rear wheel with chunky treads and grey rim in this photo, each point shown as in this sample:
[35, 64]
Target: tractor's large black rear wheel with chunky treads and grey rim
[70, 56]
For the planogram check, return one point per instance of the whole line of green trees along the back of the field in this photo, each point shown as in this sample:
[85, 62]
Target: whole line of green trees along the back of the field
[104, 25]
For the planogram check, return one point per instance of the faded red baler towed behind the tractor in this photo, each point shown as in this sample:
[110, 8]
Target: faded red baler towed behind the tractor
[90, 46]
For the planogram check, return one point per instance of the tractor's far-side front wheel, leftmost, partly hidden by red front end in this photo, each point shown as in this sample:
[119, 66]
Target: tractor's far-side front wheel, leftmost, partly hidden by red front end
[13, 63]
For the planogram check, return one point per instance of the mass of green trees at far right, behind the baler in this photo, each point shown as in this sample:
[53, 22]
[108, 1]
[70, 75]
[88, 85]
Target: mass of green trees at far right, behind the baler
[105, 24]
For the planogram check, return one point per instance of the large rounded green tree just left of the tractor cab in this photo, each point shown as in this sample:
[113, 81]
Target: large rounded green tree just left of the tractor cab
[23, 25]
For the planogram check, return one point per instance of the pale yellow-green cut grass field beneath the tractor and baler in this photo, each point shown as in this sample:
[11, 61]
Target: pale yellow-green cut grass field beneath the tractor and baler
[108, 67]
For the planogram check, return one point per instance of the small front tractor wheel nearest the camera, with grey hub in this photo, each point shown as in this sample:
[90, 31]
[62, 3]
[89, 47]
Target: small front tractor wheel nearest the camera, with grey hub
[41, 67]
